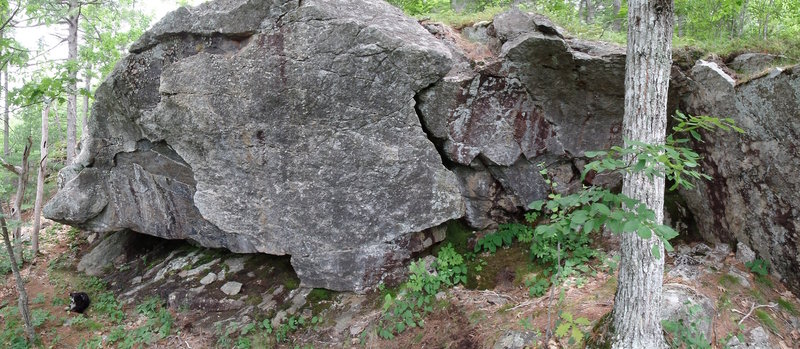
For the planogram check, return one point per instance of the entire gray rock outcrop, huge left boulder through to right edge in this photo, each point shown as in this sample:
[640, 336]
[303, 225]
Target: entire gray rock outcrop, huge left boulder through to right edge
[345, 134]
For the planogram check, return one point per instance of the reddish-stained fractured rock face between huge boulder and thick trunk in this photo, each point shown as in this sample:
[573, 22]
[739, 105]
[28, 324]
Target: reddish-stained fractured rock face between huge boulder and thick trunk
[537, 99]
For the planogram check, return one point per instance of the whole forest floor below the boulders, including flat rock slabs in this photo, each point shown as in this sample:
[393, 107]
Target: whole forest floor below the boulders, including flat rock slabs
[492, 310]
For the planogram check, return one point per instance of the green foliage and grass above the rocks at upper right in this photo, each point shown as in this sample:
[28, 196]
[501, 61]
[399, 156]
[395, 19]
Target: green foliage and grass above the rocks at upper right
[713, 26]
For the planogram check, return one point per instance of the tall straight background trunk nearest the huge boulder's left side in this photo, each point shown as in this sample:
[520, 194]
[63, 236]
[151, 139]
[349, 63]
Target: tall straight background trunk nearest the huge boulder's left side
[72, 85]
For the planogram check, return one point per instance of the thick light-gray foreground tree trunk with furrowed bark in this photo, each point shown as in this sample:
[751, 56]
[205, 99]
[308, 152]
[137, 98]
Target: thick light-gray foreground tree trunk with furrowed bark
[637, 305]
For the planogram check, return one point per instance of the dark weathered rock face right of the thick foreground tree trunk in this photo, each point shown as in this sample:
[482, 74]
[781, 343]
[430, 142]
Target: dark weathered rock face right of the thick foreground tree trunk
[755, 188]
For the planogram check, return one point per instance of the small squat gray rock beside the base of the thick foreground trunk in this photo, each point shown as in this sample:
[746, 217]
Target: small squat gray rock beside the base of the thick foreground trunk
[682, 302]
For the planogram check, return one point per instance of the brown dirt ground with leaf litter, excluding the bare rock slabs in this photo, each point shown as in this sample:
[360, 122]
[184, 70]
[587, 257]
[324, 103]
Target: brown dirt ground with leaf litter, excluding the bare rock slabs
[495, 305]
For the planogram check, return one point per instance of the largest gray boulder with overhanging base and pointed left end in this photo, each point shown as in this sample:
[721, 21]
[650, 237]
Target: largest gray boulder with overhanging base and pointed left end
[280, 127]
